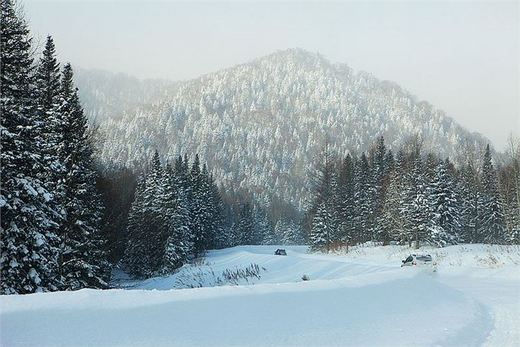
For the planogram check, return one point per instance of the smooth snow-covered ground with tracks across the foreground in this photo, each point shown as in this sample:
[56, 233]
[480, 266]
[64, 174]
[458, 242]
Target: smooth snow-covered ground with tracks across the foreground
[363, 298]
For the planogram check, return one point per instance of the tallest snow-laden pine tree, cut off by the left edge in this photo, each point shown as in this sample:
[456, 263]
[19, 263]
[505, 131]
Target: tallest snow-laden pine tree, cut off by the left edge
[28, 255]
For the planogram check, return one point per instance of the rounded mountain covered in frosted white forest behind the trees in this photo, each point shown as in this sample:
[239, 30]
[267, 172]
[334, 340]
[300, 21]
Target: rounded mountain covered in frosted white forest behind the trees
[260, 125]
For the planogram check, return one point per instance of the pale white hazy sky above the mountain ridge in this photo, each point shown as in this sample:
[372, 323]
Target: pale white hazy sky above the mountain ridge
[462, 56]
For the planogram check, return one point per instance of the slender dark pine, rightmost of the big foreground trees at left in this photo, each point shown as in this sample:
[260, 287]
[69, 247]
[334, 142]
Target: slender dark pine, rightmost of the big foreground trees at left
[83, 259]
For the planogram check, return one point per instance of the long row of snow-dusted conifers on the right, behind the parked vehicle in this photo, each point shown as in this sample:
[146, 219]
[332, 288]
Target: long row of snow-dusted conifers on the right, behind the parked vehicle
[414, 198]
